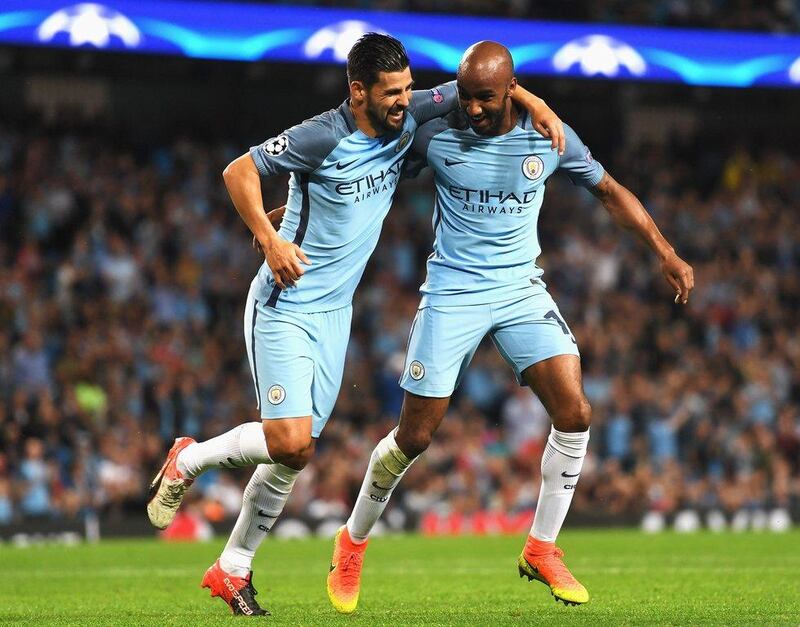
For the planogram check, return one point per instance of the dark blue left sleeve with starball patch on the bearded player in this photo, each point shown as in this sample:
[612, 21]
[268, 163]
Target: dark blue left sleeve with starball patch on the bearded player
[302, 148]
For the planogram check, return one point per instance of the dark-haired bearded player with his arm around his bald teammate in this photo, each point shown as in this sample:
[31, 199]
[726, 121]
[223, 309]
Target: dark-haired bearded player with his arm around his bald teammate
[344, 167]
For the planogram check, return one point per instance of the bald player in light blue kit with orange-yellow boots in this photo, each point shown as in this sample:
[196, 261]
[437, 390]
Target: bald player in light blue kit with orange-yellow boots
[490, 169]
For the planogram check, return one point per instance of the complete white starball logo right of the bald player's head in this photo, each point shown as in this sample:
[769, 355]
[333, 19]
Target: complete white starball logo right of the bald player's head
[599, 54]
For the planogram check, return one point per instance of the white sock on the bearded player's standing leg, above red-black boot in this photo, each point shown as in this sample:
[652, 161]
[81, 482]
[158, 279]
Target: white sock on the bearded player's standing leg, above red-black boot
[264, 498]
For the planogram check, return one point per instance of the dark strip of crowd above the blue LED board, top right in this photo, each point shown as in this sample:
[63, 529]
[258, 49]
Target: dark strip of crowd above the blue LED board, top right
[760, 15]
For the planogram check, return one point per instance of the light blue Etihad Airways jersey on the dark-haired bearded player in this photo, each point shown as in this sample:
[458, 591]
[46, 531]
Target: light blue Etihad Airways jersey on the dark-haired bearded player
[341, 186]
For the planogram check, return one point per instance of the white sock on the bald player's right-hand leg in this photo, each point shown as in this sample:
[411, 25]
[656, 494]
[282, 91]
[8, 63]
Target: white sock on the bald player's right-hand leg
[561, 466]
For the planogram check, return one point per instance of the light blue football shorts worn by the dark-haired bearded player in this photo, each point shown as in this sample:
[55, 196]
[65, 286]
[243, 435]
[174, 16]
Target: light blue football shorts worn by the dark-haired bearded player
[296, 359]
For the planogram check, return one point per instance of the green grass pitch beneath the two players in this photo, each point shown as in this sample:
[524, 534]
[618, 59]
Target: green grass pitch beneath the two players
[634, 579]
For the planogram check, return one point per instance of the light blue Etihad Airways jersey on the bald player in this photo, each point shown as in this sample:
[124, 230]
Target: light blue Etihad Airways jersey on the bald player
[488, 194]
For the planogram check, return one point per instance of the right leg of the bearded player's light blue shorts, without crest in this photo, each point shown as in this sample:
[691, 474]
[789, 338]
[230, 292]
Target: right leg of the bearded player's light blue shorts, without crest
[331, 334]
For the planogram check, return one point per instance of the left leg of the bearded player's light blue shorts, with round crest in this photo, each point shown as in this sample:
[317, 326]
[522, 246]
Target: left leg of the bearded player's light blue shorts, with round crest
[282, 362]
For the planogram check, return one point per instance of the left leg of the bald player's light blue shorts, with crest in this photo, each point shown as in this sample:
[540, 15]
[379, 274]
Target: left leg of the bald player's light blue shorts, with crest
[441, 344]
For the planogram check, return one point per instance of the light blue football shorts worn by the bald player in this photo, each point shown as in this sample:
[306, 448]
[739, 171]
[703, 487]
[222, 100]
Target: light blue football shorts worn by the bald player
[444, 339]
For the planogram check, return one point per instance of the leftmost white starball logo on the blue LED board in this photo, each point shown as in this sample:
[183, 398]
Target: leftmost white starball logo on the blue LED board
[92, 24]
